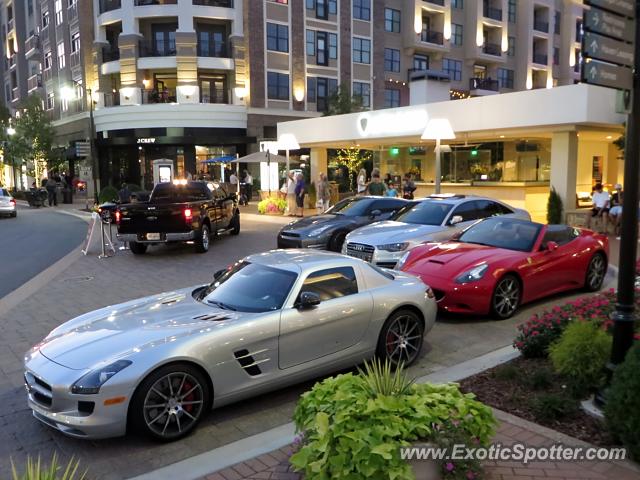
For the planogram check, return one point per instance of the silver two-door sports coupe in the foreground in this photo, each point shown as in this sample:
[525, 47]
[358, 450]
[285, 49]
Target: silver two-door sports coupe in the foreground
[155, 365]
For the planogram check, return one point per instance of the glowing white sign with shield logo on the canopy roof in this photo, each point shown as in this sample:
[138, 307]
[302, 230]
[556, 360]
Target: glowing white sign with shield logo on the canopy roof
[401, 123]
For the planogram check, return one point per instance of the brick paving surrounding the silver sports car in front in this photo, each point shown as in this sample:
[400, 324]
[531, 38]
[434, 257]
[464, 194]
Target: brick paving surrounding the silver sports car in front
[125, 276]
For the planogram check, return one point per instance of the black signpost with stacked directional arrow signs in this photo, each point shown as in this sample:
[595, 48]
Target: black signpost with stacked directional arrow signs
[611, 47]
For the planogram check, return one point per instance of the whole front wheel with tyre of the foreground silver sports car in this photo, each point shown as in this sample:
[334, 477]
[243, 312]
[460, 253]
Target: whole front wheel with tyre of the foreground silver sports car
[170, 402]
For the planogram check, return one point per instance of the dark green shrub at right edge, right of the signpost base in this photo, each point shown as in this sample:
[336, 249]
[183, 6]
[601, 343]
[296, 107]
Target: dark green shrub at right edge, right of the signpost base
[622, 410]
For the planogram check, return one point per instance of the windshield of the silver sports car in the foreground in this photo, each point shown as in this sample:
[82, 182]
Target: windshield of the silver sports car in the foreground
[250, 287]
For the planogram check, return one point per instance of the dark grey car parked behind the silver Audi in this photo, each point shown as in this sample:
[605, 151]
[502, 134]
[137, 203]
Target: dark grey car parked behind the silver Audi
[327, 231]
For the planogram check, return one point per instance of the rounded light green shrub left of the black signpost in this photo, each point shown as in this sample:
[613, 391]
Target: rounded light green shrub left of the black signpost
[580, 354]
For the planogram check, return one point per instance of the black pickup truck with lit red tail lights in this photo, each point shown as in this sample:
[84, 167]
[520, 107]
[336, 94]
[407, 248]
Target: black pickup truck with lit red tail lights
[178, 212]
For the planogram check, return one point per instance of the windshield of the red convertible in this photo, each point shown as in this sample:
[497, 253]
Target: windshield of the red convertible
[501, 232]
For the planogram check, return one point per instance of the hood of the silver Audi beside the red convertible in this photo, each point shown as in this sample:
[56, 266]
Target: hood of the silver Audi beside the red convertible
[389, 231]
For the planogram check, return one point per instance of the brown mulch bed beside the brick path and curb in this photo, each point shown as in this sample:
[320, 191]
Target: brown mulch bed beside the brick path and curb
[508, 387]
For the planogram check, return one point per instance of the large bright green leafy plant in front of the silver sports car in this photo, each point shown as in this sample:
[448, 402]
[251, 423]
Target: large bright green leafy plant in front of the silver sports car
[351, 432]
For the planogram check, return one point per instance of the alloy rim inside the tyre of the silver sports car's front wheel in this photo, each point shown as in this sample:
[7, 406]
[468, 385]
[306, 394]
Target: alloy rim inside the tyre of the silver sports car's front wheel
[173, 404]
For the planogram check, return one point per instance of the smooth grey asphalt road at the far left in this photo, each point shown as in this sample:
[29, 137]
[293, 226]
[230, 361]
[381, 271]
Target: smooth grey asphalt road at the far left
[34, 240]
